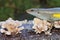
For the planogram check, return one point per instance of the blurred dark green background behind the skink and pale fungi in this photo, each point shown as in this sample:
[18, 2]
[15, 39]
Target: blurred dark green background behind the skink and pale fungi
[16, 8]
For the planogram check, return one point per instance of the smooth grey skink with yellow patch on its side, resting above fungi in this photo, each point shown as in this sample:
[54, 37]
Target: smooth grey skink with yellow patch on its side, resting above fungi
[52, 14]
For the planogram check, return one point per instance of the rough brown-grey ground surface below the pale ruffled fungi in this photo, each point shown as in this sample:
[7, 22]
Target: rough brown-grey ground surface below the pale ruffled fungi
[25, 35]
